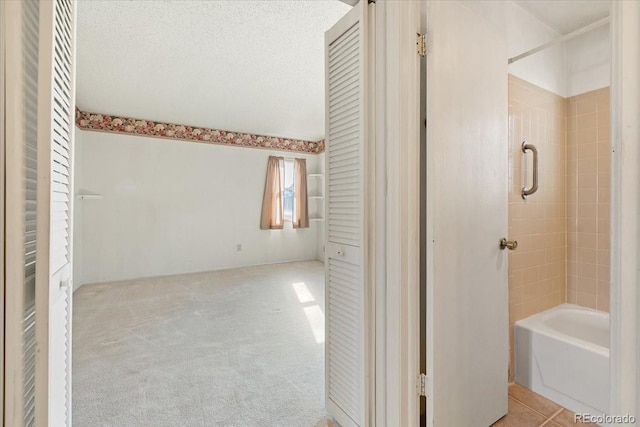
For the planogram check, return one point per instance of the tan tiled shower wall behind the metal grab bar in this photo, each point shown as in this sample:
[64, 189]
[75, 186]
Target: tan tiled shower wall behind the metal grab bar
[537, 269]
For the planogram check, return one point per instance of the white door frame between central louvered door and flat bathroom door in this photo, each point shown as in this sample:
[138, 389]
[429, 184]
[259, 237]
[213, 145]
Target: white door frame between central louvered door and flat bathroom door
[396, 201]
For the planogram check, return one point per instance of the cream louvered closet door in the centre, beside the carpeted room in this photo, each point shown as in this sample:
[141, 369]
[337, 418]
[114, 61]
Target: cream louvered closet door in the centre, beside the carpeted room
[346, 136]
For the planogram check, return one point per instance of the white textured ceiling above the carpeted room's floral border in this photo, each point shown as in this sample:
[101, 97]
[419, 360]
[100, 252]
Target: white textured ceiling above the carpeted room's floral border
[251, 66]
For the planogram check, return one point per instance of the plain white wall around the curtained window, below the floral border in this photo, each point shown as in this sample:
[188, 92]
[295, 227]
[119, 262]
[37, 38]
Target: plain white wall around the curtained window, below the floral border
[172, 207]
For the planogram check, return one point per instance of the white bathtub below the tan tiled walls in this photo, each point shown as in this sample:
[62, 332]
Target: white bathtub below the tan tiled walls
[563, 354]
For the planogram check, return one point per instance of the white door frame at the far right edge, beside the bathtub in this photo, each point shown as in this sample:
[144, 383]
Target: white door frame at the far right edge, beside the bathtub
[625, 210]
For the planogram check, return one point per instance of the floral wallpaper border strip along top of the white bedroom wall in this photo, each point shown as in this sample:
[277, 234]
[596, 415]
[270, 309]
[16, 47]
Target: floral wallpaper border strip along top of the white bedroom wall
[131, 126]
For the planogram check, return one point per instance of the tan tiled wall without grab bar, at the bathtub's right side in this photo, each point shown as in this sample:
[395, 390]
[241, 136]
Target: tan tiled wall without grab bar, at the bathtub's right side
[588, 157]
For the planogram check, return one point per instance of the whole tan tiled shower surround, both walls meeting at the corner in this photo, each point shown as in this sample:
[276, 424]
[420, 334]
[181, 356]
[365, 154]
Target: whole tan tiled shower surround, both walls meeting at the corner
[562, 229]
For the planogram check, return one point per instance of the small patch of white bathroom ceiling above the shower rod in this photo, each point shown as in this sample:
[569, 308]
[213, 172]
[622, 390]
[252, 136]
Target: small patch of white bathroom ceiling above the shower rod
[565, 16]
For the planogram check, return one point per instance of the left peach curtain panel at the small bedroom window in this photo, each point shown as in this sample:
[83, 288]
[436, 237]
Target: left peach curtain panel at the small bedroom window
[272, 200]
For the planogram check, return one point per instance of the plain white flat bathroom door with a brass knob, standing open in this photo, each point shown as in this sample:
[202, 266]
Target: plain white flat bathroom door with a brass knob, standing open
[467, 179]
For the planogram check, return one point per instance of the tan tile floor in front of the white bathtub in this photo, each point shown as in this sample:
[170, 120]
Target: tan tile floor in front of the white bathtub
[528, 409]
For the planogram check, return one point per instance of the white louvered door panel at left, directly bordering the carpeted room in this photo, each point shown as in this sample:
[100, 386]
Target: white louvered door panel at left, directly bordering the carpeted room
[55, 171]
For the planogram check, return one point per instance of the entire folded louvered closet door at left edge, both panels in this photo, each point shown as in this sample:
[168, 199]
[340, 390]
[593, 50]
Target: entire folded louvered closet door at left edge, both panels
[37, 85]
